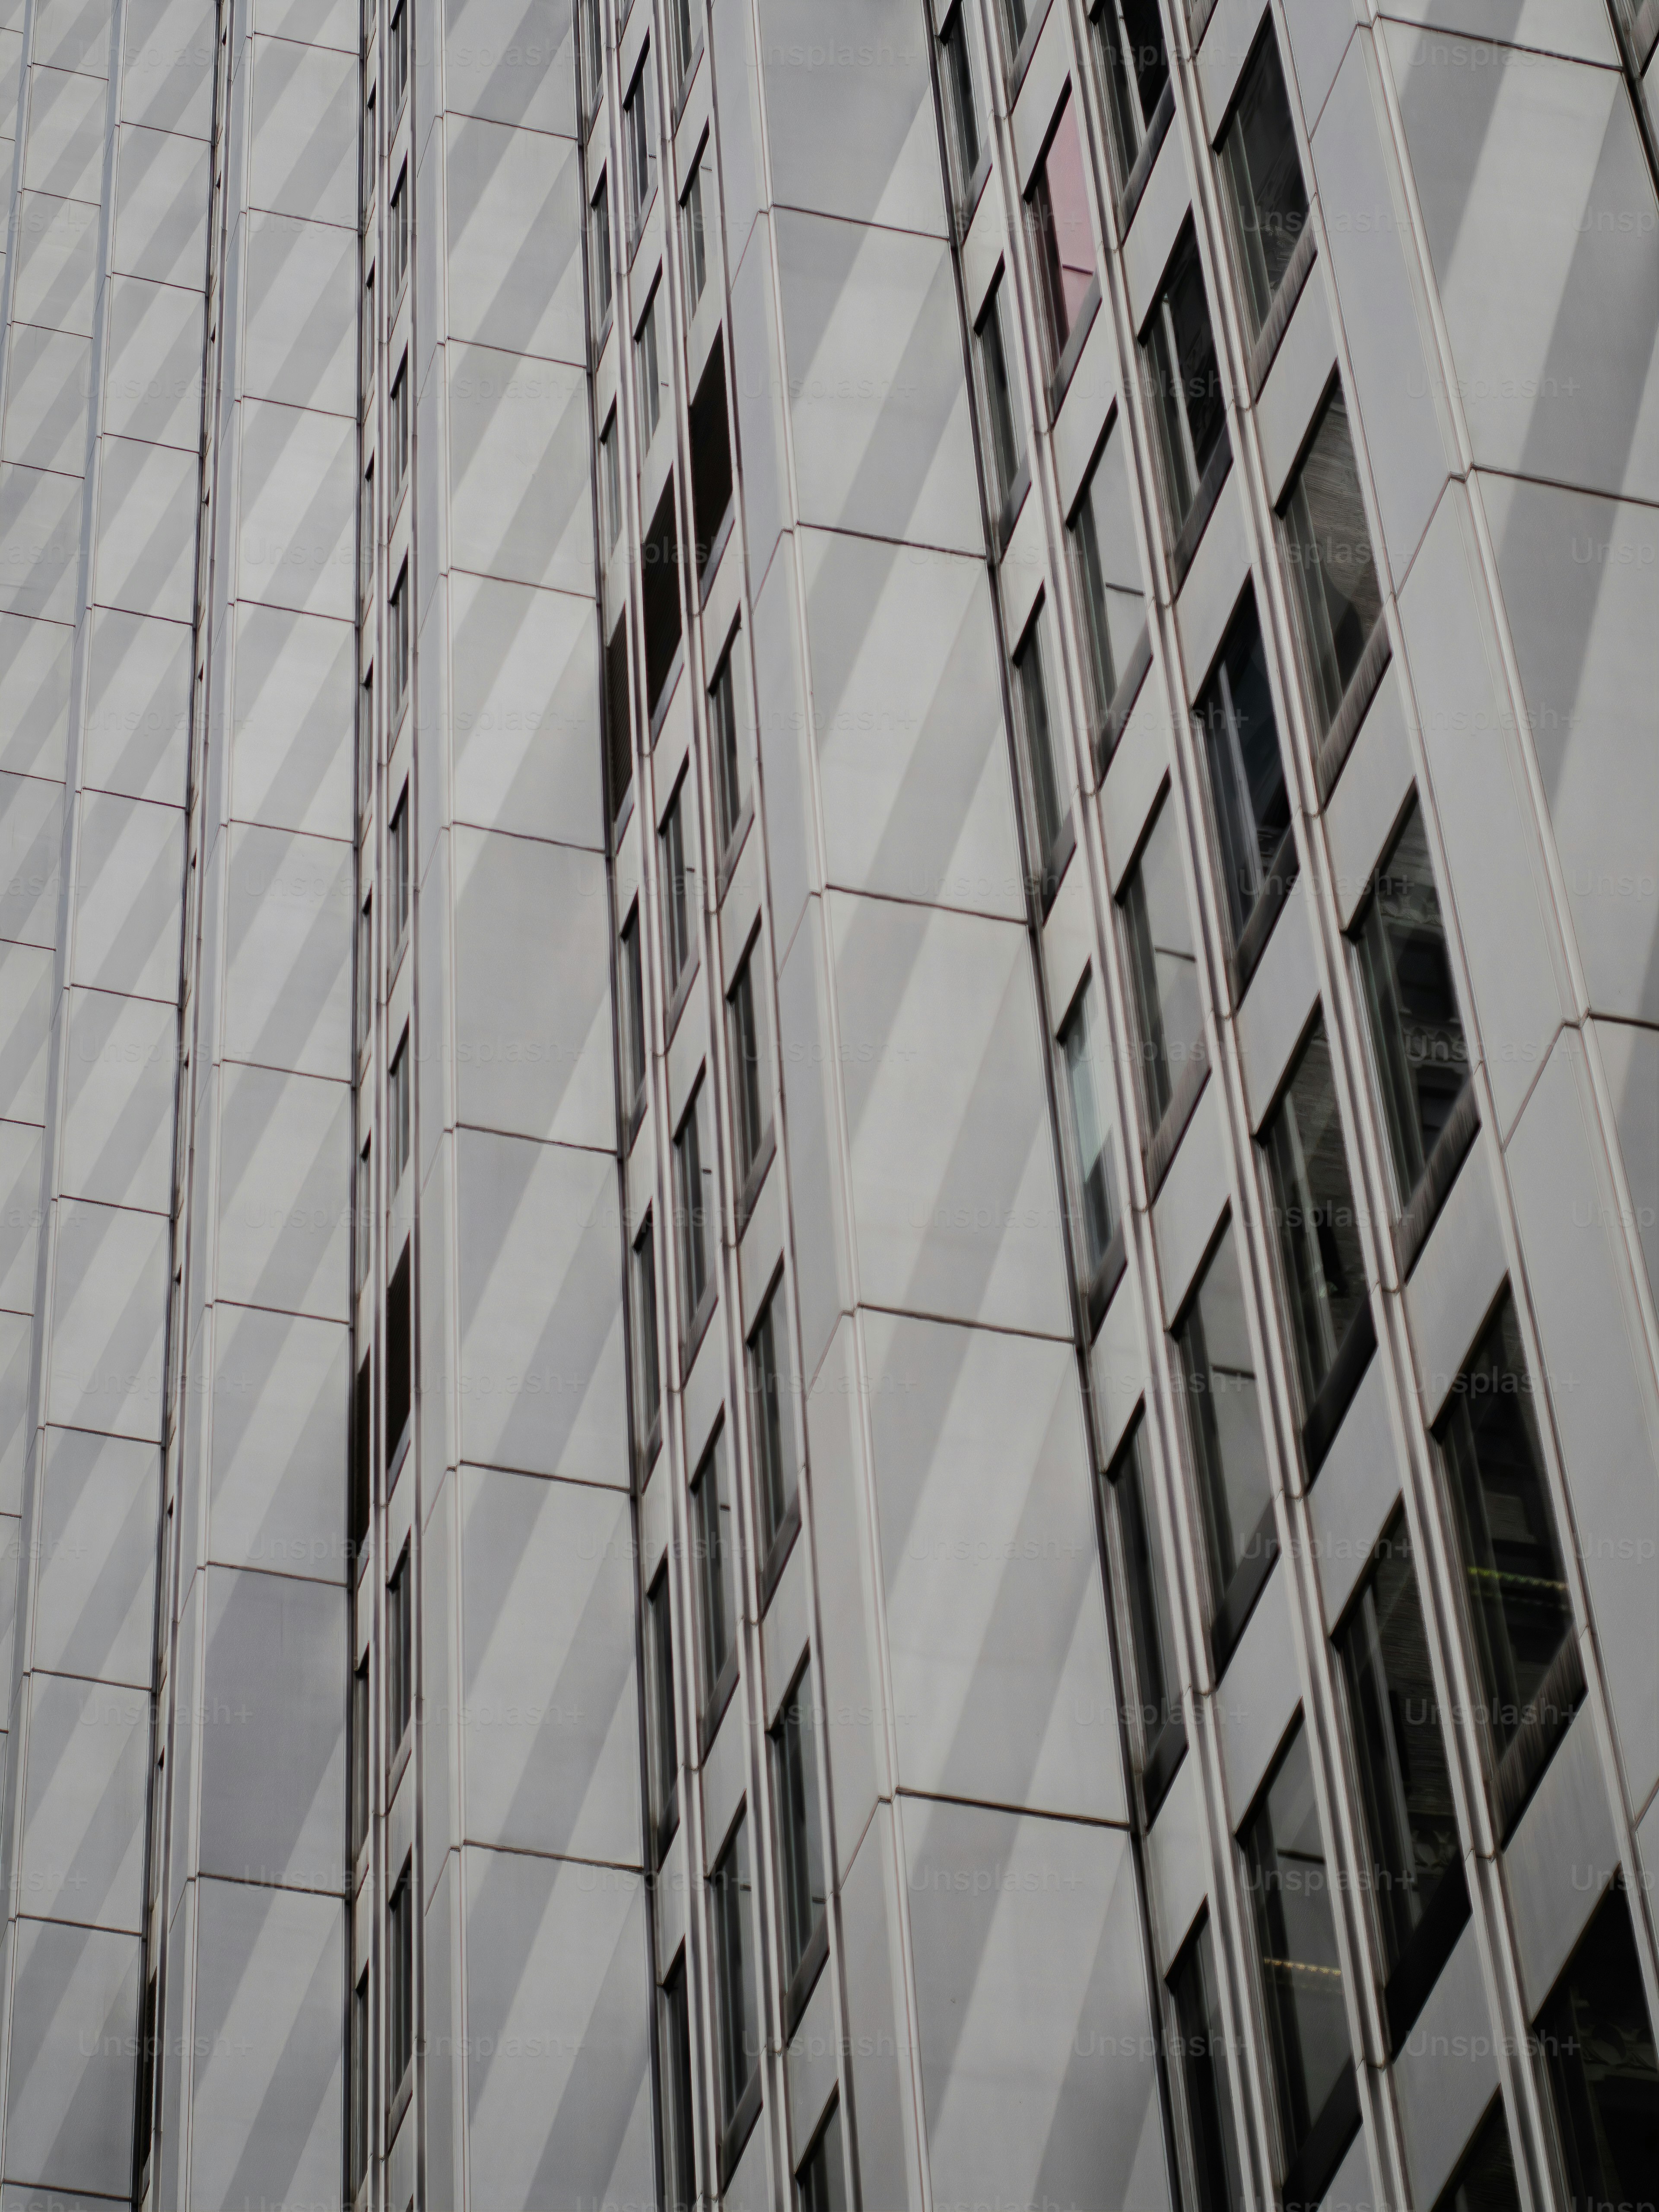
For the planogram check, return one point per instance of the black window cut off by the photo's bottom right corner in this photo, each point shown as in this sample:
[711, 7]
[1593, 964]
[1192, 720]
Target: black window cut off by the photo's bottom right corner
[1605, 2080]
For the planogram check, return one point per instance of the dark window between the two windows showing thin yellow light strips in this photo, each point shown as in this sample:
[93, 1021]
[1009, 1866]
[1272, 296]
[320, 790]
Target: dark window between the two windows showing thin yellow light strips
[1399, 1744]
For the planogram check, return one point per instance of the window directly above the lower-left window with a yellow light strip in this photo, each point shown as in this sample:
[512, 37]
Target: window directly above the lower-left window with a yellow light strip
[1229, 1450]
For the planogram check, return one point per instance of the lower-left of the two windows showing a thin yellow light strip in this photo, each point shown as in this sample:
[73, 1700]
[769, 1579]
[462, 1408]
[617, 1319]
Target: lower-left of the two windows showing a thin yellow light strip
[1302, 1974]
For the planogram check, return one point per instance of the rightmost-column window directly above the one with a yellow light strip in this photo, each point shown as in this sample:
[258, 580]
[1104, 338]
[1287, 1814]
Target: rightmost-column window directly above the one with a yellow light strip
[1412, 1005]
